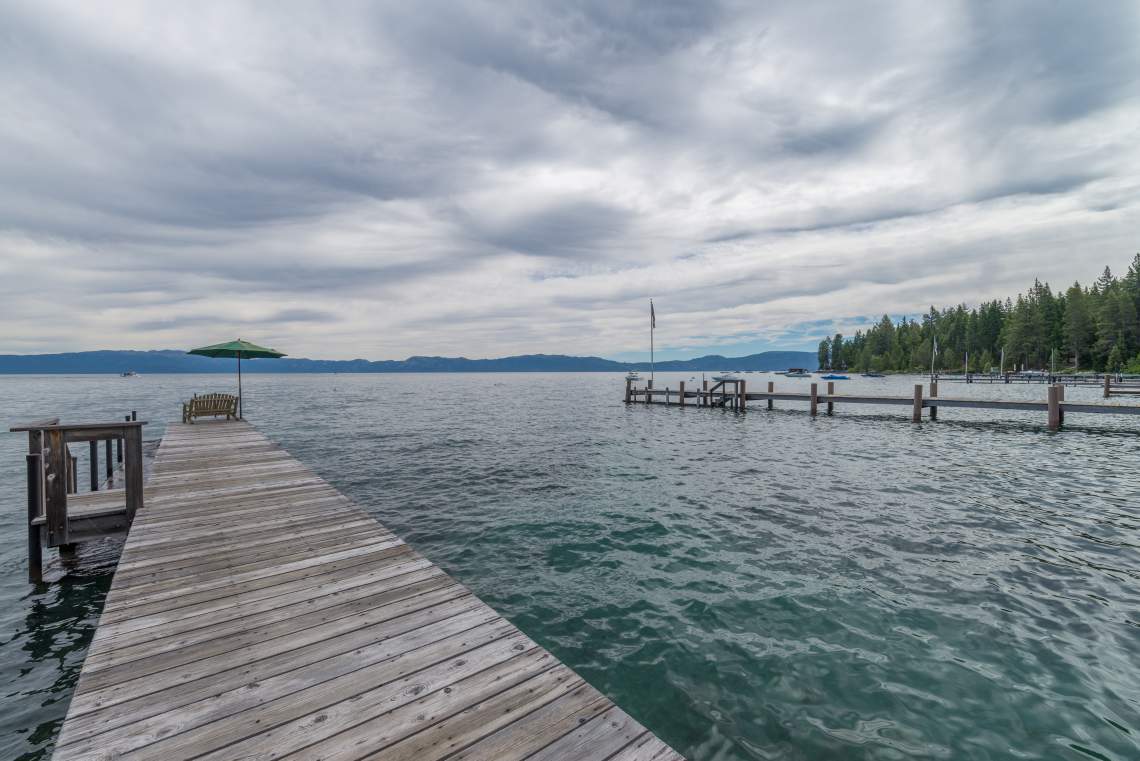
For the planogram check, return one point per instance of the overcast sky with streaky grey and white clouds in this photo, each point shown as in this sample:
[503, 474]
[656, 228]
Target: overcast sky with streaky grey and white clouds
[380, 179]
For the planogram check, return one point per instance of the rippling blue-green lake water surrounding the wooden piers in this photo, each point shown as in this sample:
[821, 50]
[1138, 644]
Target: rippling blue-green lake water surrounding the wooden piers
[759, 586]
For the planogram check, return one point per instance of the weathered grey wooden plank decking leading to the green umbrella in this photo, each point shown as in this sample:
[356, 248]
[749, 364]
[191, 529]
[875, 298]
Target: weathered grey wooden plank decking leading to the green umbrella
[258, 613]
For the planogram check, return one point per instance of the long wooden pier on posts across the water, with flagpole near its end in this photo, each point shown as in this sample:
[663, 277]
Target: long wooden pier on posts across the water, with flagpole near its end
[735, 395]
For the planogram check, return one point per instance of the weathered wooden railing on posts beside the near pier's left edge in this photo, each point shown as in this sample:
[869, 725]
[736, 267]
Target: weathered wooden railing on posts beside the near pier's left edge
[53, 476]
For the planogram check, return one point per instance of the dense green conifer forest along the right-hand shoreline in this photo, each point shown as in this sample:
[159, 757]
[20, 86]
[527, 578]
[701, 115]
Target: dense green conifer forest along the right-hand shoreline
[1081, 329]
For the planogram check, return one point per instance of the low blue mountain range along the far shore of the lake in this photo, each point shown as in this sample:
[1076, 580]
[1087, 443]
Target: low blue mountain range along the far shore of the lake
[178, 362]
